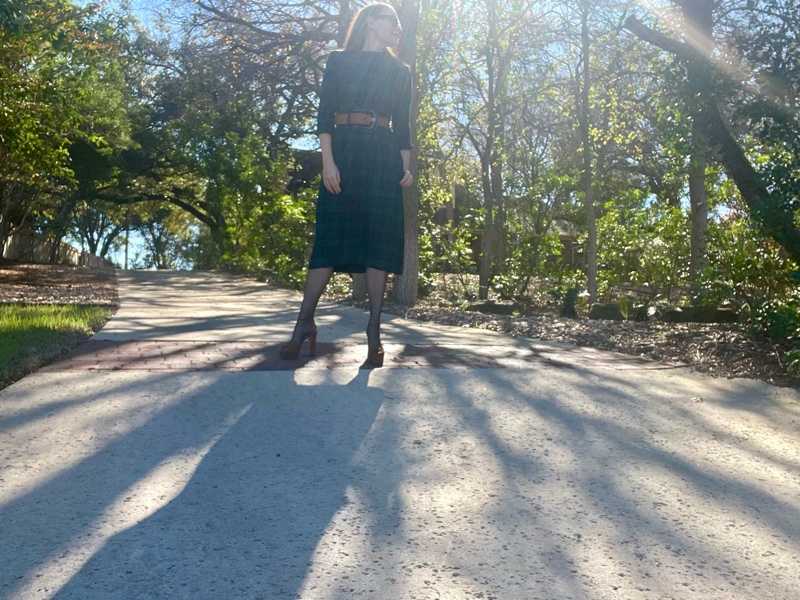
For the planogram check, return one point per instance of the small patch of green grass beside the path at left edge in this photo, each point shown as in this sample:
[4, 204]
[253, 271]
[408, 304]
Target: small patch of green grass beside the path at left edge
[32, 335]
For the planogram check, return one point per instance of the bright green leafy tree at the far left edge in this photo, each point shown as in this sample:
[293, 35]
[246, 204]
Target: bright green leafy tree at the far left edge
[64, 100]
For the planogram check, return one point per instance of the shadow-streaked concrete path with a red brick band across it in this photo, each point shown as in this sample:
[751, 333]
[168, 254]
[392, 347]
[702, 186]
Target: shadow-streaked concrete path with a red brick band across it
[173, 456]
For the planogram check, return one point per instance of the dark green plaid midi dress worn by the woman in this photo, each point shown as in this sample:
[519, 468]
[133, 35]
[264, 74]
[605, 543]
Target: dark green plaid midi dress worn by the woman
[363, 225]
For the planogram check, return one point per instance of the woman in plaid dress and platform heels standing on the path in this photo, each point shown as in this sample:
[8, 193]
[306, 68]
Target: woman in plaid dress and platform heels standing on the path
[364, 133]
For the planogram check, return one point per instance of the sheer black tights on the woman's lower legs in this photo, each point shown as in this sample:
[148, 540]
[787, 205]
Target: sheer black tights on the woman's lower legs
[317, 280]
